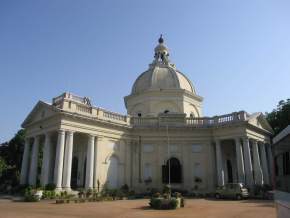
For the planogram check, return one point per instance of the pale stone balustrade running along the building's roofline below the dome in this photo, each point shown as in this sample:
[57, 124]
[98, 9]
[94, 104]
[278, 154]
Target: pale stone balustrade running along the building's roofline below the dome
[82, 106]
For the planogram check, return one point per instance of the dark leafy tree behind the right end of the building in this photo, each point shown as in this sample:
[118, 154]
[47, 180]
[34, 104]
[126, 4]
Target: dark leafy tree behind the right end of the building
[279, 118]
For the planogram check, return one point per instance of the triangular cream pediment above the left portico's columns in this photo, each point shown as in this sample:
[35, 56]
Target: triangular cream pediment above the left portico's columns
[41, 110]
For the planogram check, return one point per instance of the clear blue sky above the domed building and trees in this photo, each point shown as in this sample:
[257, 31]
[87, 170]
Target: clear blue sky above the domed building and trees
[236, 53]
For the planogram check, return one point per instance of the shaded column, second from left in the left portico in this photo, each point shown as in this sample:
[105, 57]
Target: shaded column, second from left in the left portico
[34, 162]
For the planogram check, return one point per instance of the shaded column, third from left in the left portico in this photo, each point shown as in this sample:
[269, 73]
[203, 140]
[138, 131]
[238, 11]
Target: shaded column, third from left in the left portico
[46, 160]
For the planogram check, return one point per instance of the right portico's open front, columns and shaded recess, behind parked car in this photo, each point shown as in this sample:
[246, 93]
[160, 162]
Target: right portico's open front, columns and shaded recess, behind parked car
[242, 160]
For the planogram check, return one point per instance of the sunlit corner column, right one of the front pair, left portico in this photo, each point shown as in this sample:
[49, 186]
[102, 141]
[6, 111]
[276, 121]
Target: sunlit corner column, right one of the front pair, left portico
[68, 161]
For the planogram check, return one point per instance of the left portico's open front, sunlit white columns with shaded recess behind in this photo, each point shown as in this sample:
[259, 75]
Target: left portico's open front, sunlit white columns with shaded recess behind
[57, 150]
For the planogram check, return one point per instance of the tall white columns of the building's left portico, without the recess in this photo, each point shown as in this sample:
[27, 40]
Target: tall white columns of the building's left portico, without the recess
[63, 160]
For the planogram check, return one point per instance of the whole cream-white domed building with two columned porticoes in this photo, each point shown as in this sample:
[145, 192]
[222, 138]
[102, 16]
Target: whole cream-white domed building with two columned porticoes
[163, 138]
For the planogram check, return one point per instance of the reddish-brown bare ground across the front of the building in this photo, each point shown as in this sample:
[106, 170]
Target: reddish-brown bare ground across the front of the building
[195, 208]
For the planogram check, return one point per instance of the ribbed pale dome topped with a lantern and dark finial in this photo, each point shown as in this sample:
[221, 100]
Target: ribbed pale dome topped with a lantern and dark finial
[162, 74]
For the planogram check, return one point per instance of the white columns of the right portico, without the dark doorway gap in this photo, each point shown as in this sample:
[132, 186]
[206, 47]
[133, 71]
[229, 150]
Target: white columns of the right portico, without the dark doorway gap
[254, 166]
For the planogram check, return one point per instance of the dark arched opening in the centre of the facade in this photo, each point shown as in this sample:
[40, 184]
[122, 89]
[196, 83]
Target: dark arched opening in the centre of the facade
[175, 171]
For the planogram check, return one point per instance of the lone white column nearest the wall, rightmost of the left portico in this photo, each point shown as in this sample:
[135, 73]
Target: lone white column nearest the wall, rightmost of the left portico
[90, 163]
